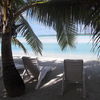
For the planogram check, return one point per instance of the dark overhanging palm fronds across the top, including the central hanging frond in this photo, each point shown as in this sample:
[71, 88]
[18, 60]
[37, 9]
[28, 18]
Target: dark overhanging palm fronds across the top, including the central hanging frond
[62, 15]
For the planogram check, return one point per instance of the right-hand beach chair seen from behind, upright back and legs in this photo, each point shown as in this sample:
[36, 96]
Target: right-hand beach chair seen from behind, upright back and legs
[73, 73]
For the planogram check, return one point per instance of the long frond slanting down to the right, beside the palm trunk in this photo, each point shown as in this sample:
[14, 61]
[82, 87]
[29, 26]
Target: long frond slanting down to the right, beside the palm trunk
[26, 31]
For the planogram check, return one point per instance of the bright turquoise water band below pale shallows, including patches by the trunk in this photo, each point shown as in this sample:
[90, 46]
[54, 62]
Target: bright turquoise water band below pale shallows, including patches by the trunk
[81, 48]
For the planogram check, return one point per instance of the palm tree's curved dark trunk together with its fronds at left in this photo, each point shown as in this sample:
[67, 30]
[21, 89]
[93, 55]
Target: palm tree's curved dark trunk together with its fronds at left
[9, 28]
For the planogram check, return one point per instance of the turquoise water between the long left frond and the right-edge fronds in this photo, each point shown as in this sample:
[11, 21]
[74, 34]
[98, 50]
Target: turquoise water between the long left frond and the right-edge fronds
[80, 48]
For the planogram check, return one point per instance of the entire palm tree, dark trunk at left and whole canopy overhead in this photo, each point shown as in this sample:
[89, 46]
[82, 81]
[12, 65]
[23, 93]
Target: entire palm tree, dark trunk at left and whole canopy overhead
[62, 15]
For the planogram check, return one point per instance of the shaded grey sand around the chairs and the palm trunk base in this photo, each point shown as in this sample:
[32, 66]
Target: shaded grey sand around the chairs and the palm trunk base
[51, 86]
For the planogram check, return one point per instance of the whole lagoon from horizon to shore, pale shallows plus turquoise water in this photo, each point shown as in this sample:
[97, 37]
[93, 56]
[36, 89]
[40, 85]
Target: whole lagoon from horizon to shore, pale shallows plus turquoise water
[83, 46]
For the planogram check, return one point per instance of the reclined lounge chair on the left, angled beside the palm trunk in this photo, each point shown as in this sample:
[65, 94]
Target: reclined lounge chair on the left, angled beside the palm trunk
[32, 65]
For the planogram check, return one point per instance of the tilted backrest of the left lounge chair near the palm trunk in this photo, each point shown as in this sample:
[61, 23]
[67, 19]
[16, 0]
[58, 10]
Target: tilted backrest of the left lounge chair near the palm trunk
[31, 65]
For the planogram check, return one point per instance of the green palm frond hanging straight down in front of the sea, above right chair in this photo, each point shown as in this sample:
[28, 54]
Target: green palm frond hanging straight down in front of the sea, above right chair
[66, 35]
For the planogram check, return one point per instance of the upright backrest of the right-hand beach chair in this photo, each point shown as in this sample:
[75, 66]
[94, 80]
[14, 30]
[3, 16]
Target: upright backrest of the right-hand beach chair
[73, 70]
